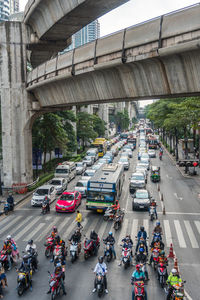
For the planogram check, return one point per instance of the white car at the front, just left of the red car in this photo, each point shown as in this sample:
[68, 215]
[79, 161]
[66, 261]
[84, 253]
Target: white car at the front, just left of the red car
[41, 192]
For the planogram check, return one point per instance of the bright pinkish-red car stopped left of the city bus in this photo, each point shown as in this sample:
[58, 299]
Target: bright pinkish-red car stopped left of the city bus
[68, 202]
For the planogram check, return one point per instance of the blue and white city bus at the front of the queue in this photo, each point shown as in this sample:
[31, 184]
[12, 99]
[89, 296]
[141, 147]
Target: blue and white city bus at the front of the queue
[105, 187]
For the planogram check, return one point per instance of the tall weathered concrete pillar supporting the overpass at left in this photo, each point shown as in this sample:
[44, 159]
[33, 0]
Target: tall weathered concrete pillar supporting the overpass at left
[16, 109]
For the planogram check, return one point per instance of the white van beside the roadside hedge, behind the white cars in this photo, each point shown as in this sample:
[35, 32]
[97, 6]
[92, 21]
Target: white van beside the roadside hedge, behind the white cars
[67, 170]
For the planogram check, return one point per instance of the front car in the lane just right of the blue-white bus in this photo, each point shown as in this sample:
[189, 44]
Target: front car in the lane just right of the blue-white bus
[141, 200]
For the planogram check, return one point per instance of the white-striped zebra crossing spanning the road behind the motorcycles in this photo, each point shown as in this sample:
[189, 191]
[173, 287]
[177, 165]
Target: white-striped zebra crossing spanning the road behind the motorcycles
[184, 233]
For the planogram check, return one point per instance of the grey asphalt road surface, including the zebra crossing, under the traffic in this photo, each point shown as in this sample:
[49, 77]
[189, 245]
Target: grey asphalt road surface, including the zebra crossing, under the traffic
[181, 225]
